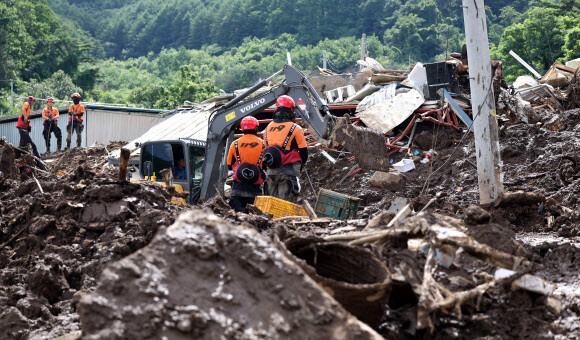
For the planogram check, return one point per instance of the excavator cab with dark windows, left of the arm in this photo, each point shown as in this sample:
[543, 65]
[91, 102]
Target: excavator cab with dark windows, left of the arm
[184, 157]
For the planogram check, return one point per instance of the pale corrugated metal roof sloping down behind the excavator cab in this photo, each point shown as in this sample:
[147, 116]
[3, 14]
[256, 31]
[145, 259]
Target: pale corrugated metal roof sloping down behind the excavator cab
[188, 123]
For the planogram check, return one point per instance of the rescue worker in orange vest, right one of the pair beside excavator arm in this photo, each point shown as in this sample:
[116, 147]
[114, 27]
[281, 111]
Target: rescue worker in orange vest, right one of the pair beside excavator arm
[286, 152]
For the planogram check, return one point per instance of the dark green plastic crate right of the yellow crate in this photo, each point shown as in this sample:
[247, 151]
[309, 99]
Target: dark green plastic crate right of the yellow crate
[336, 205]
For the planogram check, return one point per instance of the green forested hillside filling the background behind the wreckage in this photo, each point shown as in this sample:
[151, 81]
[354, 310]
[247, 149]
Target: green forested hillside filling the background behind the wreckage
[156, 53]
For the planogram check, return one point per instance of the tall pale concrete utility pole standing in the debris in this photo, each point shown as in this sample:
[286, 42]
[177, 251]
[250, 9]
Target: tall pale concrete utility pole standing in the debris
[487, 149]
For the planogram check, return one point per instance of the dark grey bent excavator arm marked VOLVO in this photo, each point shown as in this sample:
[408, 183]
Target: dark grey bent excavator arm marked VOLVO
[226, 119]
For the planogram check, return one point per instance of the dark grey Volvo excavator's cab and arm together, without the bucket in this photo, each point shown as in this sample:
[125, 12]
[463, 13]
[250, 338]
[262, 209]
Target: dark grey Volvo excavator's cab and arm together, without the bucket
[206, 171]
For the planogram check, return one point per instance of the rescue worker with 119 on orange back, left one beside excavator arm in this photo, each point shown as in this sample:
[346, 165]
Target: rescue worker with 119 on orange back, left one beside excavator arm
[245, 159]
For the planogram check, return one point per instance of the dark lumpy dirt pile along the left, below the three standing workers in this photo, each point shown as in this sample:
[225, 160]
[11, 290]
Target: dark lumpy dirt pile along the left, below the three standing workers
[54, 243]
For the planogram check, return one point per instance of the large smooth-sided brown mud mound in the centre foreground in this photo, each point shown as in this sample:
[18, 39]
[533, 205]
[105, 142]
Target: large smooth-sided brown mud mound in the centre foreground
[205, 278]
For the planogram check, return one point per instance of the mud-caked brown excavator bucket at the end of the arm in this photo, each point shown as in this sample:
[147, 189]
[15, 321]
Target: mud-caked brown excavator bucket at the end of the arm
[367, 145]
